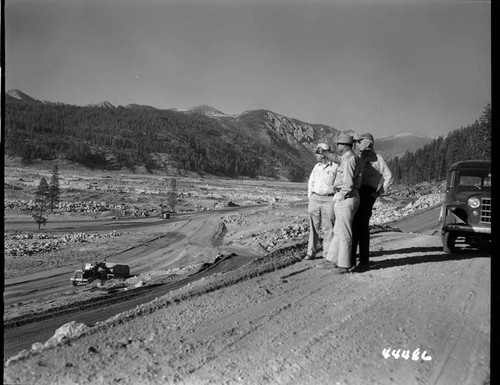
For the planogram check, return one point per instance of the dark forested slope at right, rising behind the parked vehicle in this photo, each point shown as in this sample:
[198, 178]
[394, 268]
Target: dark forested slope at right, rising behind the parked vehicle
[433, 160]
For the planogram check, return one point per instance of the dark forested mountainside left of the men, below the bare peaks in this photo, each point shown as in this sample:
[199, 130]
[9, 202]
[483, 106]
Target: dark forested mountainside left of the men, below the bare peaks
[129, 137]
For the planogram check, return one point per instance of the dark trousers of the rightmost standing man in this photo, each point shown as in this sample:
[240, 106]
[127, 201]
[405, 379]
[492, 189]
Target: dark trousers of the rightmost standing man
[361, 225]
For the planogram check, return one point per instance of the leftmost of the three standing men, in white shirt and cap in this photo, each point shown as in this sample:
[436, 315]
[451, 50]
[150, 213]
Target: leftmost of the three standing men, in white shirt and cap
[320, 192]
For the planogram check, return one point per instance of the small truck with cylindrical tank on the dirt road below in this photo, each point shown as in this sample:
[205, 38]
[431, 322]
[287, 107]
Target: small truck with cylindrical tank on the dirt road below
[99, 270]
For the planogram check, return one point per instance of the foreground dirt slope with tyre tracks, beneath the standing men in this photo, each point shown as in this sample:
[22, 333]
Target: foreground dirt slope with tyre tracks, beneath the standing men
[299, 325]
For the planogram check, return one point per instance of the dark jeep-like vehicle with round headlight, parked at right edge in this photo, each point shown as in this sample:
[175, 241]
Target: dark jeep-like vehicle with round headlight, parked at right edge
[466, 210]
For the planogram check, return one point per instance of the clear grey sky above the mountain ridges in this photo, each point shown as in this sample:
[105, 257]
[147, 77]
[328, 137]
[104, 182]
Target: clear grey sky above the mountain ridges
[380, 66]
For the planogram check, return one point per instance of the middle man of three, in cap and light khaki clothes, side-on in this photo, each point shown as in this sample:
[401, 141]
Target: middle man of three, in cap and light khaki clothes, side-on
[345, 204]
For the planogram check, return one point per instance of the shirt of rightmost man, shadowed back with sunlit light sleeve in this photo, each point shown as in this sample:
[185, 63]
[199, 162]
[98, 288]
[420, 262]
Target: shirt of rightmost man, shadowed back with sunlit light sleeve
[375, 172]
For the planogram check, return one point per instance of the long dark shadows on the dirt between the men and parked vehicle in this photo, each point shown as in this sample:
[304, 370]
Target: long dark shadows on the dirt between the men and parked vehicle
[461, 254]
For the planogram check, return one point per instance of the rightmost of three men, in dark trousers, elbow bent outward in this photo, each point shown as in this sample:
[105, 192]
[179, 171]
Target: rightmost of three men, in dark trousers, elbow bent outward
[376, 178]
